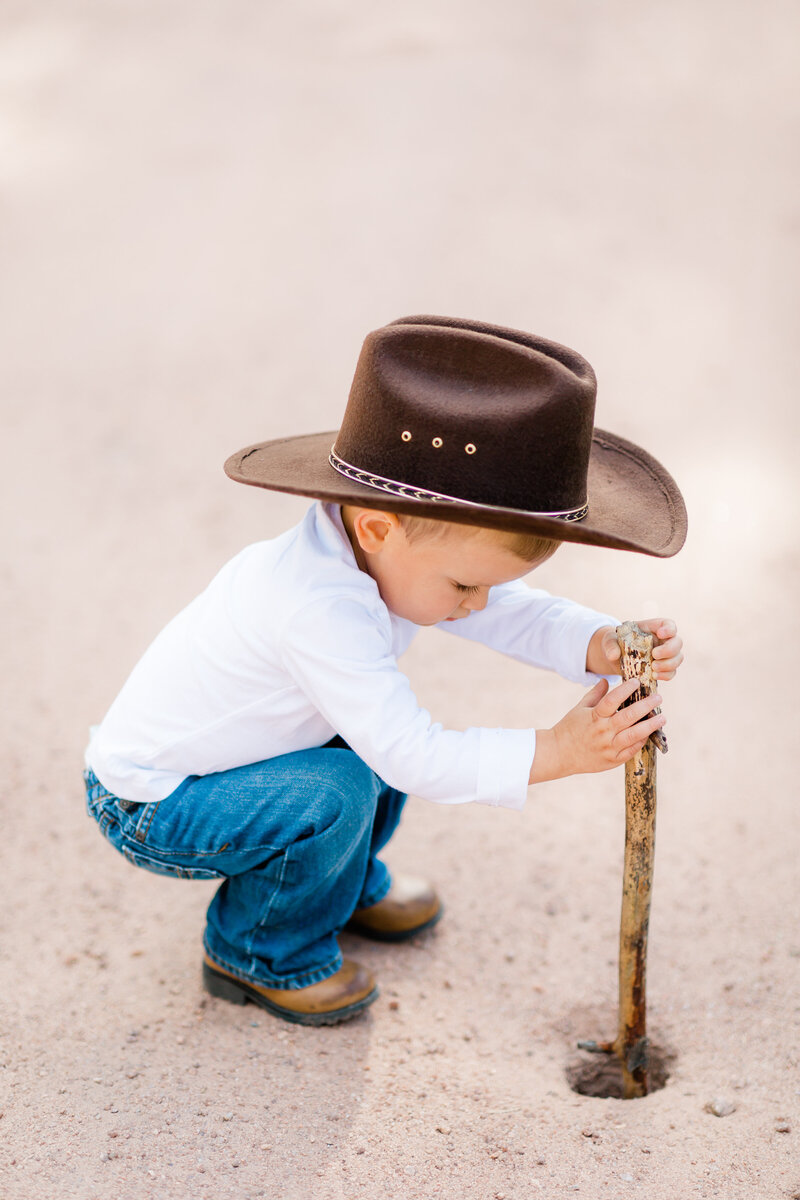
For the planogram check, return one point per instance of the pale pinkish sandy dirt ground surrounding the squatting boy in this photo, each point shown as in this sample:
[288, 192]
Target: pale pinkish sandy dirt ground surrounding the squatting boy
[203, 209]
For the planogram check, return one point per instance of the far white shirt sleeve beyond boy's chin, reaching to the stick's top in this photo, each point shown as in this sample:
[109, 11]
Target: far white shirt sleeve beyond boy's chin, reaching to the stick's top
[536, 628]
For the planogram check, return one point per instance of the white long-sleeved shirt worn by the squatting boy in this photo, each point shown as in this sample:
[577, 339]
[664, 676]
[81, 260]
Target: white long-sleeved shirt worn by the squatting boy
[290, 645]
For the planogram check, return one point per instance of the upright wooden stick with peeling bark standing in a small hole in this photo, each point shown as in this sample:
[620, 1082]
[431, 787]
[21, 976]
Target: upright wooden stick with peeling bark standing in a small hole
[631, 1045]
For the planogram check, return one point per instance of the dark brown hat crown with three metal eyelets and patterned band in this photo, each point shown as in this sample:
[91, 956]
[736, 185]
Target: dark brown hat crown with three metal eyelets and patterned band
[474, 412]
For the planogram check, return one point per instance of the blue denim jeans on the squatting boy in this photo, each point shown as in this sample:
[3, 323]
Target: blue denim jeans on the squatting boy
[296, 841]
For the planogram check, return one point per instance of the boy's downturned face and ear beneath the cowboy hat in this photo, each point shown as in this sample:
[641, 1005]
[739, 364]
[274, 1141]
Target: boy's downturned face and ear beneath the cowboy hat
[434, 579]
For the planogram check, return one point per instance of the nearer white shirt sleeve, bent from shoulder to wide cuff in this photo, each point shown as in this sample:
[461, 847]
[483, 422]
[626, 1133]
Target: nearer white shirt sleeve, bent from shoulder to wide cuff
[340, 655]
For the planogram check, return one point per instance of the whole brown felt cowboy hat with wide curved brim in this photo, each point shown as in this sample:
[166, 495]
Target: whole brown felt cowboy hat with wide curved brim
[472, 423]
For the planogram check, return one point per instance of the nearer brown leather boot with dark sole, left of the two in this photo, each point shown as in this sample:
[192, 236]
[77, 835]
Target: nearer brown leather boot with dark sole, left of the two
[338, 999]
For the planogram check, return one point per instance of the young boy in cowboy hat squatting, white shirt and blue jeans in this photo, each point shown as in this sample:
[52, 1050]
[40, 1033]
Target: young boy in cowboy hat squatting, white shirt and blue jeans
[268, 737]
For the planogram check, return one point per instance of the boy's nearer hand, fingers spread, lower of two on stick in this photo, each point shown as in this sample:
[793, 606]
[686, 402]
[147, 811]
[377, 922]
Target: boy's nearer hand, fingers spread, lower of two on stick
[594, 736]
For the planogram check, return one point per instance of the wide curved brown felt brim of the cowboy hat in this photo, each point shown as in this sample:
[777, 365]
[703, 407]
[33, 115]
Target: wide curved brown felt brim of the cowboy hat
[634, 503]
